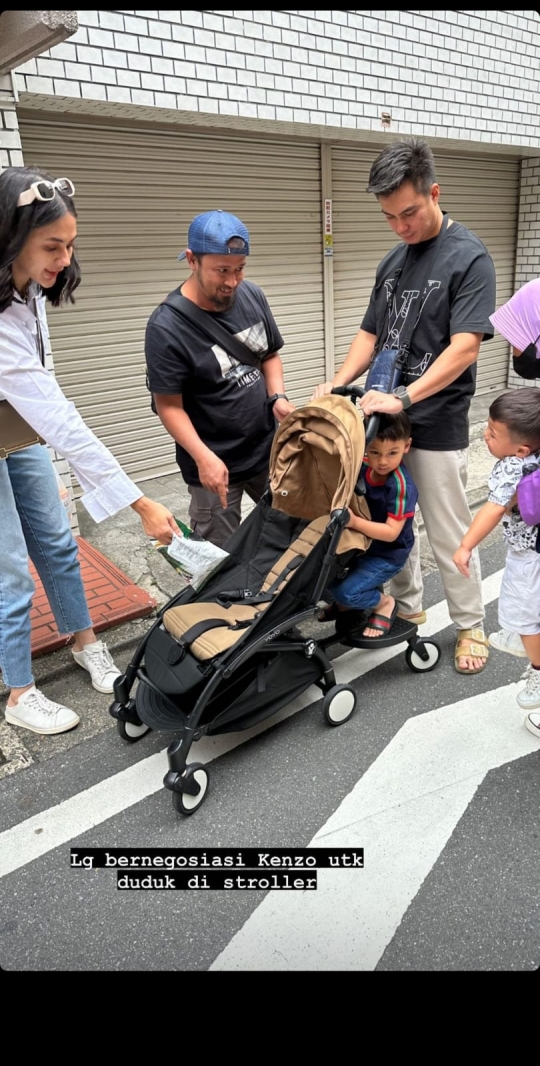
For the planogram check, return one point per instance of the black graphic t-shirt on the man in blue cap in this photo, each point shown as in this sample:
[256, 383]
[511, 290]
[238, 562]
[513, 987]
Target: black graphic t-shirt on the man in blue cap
[226, 401]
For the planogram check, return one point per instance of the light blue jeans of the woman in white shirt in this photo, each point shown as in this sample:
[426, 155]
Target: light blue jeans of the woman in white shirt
[34, 522]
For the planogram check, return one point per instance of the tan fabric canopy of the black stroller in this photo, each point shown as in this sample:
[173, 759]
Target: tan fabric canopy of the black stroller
[316, 462]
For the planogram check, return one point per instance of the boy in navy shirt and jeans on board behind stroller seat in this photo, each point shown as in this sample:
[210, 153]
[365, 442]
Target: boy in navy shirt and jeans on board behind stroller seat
[391, 496]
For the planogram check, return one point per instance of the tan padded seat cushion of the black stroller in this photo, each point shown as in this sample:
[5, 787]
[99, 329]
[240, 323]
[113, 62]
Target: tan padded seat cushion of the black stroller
[179, 620]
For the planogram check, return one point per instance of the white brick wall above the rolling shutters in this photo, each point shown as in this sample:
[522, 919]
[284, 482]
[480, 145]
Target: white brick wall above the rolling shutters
[452, 75]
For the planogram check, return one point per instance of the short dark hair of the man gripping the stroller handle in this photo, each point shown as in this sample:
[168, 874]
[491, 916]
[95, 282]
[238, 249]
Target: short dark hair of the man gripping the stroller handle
[412, 160]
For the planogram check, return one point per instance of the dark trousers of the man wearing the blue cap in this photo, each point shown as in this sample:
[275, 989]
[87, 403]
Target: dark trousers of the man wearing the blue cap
[215, 523]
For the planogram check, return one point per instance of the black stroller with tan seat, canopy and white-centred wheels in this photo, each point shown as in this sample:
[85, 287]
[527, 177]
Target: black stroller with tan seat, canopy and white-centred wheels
[231, 655]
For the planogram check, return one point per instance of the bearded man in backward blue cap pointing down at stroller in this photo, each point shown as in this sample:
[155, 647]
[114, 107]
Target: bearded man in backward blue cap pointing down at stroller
[221, 413]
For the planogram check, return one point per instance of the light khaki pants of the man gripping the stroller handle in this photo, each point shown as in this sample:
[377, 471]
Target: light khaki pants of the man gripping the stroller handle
[441, 481]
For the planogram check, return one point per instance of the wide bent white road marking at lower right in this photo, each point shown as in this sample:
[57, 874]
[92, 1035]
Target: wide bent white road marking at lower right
[402, 813]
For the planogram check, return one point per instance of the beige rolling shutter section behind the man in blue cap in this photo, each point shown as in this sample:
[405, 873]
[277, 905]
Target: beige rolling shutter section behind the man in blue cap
[137, 193]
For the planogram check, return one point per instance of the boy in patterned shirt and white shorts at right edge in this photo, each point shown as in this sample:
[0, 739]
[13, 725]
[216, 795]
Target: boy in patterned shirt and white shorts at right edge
[514, 438]
